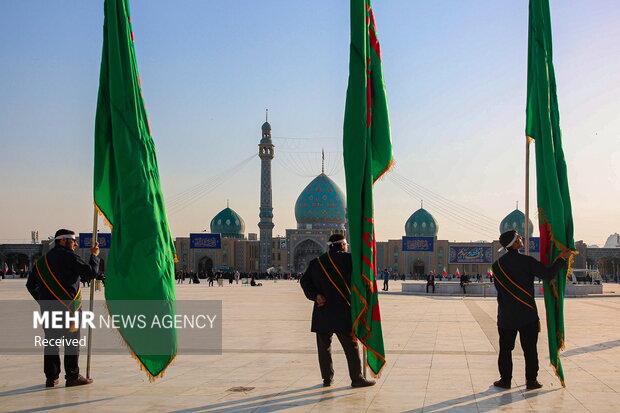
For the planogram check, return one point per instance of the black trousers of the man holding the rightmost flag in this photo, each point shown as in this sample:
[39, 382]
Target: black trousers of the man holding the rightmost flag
[528, 335]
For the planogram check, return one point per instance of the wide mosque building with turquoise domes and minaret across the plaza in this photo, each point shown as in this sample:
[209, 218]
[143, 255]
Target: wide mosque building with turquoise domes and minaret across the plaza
[320, 210]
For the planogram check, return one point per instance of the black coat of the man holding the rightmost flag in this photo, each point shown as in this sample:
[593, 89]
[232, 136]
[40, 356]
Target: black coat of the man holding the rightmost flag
[522, 269]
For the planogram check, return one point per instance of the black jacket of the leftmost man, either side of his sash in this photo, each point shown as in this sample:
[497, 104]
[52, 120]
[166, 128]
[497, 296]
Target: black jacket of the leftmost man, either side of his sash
[68, 267]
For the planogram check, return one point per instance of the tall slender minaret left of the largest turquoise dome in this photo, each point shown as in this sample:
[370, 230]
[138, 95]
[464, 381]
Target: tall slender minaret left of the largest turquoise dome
[265, 152]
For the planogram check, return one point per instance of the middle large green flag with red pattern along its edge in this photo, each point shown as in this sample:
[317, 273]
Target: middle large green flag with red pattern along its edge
[367, 155]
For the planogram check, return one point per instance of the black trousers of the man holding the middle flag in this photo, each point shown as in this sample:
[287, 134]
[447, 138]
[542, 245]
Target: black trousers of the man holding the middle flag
[351, 351]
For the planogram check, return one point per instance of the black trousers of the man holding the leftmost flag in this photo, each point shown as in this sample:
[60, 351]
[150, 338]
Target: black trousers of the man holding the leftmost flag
[51, 355]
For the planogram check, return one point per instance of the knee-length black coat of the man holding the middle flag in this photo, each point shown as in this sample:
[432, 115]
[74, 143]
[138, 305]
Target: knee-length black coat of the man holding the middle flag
[335, 315]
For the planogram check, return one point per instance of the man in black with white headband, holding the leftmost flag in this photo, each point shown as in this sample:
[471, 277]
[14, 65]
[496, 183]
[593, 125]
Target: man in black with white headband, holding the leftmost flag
[54, 282]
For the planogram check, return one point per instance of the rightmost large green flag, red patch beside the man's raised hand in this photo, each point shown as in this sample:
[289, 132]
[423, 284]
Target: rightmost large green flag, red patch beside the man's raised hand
[554, 208]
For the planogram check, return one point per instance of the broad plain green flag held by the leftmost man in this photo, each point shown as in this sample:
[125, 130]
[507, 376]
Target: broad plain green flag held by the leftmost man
[140, 268]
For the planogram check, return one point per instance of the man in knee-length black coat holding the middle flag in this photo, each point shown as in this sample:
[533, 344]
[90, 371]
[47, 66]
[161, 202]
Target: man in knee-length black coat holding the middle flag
[327, 283]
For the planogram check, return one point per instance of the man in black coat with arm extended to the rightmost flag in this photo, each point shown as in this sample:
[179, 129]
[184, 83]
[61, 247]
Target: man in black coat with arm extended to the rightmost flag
[514, 280]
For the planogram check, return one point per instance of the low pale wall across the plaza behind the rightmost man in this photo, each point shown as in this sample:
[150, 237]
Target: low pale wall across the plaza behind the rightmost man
[488, 289]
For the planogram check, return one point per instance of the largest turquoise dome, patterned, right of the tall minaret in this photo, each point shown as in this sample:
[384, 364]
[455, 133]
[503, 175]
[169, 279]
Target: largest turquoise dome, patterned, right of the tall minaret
[321, 205]
